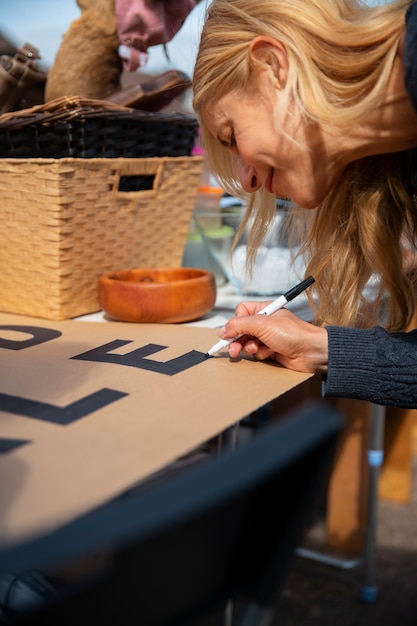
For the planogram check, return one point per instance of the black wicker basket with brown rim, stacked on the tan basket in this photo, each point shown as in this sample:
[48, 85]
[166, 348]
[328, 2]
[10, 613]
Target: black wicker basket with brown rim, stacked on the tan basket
[82, 128]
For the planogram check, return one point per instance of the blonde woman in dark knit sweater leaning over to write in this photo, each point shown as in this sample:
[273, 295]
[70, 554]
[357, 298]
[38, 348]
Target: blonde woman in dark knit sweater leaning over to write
[316, 101]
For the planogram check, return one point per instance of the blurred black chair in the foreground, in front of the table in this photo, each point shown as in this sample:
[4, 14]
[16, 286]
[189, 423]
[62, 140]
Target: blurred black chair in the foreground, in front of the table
[178, 550]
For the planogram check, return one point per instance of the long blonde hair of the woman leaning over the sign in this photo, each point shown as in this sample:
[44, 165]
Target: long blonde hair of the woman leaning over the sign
[341, 54]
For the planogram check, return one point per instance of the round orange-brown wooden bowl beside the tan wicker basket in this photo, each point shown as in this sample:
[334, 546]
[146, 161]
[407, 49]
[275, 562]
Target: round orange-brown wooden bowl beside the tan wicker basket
[162, 295]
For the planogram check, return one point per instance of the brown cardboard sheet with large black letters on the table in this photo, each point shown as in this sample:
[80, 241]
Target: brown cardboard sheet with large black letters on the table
[83, 417]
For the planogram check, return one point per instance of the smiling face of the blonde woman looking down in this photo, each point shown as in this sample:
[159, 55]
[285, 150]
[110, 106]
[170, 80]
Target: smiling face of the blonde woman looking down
[273, 146]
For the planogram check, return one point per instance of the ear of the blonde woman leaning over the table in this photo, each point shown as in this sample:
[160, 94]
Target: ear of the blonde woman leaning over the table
[271, 54]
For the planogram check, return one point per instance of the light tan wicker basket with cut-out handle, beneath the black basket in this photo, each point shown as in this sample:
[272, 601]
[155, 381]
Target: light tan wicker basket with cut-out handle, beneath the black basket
[66, 221]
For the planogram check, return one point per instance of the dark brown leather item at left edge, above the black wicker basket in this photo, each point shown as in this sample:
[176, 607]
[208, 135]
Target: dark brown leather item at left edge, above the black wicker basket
[22, 82]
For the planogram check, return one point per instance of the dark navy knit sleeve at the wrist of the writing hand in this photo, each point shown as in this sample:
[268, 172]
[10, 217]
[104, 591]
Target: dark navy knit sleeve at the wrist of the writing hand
[372, 364]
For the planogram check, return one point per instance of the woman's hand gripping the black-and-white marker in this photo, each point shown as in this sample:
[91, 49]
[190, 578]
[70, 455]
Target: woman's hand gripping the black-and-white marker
[283, 336]
